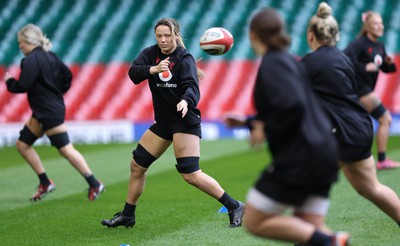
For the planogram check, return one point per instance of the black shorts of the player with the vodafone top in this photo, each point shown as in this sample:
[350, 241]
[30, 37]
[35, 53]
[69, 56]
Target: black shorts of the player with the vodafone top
[167, 132]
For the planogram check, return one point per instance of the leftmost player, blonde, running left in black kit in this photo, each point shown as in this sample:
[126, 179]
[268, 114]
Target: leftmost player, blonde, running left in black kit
[45, 79]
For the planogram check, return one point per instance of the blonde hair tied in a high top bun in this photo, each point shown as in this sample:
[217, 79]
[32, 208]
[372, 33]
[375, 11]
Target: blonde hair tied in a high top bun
[324, 25]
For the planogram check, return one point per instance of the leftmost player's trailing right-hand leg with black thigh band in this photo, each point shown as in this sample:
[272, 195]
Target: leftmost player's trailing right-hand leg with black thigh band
[58, 135]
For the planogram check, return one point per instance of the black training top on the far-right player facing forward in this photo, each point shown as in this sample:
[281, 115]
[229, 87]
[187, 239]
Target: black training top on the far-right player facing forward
[362, 51]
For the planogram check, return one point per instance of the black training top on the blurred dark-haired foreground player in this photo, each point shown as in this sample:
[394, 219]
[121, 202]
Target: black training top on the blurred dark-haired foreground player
[299, 134]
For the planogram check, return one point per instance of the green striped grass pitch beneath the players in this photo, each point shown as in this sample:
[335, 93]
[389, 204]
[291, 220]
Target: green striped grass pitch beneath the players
[170, 212]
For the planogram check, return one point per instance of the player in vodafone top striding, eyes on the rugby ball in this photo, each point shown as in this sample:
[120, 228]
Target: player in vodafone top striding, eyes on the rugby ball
[172, 76]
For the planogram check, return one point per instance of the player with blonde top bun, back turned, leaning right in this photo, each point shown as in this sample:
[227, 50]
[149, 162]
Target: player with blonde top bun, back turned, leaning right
[332, 79]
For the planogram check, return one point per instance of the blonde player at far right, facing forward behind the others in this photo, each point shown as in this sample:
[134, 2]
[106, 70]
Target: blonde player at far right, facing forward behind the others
[369, 57]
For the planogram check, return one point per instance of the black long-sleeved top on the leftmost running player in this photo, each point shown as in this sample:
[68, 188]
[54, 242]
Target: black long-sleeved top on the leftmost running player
[45, 78]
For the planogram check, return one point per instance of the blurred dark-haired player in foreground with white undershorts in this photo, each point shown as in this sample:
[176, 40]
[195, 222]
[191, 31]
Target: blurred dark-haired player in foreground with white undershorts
[303, 149]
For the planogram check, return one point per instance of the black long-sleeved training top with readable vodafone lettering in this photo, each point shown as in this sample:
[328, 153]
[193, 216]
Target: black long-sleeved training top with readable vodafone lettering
[169, 88]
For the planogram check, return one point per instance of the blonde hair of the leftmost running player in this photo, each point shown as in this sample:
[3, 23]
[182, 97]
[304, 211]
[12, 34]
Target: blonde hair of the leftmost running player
[33, 34]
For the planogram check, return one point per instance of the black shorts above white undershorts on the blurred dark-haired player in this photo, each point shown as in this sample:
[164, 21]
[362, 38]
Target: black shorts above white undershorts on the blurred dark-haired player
[291, 194]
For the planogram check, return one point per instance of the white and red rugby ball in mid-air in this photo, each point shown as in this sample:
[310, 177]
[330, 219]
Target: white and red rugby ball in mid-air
[216, 41]
